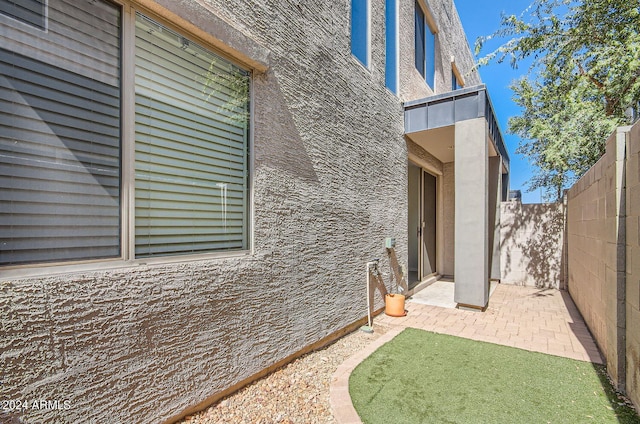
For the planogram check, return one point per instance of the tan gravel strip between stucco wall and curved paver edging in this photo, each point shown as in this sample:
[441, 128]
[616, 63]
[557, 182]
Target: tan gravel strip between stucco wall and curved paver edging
[295, 393]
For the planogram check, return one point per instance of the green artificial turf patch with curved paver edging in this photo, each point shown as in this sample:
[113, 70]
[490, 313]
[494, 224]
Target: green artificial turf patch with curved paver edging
[424, 377]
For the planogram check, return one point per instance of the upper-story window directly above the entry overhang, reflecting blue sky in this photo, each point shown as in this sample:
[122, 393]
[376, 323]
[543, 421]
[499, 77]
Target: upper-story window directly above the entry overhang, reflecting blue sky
[425, 44]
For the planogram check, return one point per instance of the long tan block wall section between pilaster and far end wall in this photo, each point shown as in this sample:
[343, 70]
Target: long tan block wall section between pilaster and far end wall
[592, 247]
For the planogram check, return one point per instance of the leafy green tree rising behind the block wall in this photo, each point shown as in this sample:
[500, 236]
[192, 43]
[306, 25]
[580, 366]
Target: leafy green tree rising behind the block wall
[584, 78]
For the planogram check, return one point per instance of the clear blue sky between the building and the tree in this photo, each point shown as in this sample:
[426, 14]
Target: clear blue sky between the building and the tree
[483, 18]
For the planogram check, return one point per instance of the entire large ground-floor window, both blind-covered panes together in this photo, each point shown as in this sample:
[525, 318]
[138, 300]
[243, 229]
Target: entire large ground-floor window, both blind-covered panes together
[73, 151]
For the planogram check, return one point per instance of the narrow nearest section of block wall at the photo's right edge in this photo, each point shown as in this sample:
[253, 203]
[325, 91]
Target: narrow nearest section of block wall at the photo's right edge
[632, 298]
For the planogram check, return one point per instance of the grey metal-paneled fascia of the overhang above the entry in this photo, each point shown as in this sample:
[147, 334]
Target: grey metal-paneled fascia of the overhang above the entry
[442, 111]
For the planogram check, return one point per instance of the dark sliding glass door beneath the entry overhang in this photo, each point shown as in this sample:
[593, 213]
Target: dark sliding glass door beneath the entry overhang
[422, 192]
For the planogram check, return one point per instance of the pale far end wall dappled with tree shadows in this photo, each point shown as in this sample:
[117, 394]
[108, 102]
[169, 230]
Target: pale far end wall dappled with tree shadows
[532, 244]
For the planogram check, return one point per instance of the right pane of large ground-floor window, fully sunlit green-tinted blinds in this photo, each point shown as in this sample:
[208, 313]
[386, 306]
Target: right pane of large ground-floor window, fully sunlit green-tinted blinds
[191, 146]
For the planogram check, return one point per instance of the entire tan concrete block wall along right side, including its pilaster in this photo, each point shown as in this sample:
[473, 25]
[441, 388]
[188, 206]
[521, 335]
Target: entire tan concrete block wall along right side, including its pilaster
[602, 223]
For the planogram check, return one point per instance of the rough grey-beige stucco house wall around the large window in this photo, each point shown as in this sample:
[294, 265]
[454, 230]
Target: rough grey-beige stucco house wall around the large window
[144, 343]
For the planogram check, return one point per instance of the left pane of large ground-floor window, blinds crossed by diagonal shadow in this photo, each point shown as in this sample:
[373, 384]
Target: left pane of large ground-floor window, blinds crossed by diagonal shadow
[60, 137]
